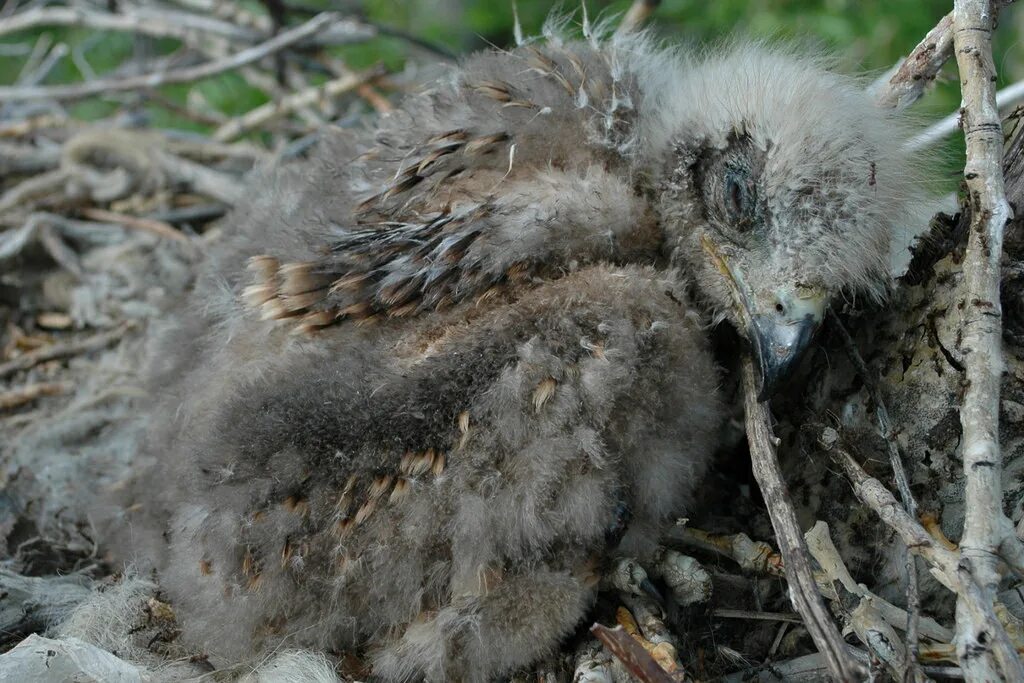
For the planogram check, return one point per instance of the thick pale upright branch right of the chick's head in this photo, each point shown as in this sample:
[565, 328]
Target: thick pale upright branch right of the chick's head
[987, 530]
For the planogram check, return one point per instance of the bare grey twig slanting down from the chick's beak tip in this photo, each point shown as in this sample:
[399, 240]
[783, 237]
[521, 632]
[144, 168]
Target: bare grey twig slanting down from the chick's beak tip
[803, 589]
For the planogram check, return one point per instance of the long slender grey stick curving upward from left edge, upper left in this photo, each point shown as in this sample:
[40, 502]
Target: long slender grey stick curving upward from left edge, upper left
[104, 87]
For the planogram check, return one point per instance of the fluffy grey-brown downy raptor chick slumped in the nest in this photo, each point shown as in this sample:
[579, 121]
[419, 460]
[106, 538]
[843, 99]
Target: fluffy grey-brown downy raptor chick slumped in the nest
[425, 372]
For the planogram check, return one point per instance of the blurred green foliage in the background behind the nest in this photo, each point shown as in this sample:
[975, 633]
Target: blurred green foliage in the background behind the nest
[870, 35]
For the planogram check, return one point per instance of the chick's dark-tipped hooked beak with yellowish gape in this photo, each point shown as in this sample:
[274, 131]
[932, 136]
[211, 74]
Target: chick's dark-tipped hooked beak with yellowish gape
[780, 324]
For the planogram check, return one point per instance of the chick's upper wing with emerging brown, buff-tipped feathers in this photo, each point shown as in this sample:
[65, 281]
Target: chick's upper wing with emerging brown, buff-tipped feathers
[408, 249]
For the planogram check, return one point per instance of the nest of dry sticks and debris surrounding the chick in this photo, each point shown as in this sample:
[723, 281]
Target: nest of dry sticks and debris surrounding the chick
[836, 539]
